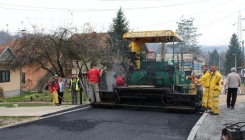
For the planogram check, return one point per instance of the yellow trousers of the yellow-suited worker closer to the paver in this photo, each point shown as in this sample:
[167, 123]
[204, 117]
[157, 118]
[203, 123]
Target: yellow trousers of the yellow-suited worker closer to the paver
[207, 98]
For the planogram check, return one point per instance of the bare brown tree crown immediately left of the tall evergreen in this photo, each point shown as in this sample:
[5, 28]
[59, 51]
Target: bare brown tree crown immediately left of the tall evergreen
[90, 49]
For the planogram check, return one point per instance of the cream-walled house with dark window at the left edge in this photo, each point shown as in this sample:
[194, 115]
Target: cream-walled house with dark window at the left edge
[10, 80]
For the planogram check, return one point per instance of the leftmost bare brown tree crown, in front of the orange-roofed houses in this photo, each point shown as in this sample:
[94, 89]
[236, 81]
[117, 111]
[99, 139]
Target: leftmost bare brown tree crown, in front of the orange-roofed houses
[42, 51]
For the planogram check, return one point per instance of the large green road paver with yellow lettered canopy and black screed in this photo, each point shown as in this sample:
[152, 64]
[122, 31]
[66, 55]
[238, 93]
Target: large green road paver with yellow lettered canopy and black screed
[151, 82]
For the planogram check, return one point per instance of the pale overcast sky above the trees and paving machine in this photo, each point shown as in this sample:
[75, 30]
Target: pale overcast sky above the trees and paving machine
[216, 20]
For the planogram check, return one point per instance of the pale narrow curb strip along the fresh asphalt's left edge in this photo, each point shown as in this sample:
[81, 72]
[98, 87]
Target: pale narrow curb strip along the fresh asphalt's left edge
[44, 117]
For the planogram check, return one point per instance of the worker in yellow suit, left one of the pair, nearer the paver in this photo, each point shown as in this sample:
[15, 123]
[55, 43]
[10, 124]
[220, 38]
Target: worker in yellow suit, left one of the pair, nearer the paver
[207, 97]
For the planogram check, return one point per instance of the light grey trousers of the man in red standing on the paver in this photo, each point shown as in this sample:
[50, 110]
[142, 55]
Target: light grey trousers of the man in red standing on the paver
[94, 91]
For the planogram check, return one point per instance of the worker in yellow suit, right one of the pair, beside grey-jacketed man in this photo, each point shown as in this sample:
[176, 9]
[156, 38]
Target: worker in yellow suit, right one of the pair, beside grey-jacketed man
[215, 89]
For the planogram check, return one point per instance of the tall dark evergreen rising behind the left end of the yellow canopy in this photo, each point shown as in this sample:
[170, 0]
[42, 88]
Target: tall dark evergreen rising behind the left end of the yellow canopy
[117, 28]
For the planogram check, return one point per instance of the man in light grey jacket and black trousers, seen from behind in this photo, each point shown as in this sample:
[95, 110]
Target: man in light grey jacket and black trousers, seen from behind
[233, 82]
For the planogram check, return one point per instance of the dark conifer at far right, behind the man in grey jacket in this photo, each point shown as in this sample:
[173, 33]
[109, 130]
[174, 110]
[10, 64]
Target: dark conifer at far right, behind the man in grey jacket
[234, 53]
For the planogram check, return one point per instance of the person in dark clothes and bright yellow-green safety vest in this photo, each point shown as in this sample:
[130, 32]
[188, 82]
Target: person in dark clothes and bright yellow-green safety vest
[74, 88]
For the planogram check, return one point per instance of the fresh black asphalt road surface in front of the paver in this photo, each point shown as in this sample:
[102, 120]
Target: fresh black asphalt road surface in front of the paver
[105, 124]
